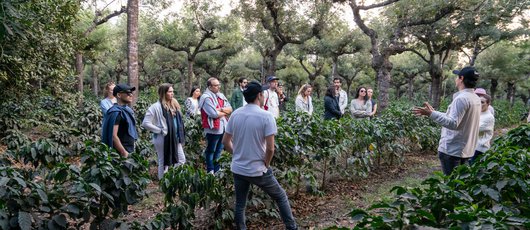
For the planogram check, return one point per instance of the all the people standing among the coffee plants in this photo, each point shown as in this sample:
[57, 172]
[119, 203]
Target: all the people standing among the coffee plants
[245, 126]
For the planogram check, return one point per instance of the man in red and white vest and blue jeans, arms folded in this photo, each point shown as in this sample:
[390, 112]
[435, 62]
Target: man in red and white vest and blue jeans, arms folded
[214, 111]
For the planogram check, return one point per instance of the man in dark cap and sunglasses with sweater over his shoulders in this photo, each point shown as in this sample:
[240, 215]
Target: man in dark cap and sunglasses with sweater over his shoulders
[119, 125]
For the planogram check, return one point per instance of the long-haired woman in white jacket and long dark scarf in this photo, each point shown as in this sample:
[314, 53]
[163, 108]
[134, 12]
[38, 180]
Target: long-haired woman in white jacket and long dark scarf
[164, 120]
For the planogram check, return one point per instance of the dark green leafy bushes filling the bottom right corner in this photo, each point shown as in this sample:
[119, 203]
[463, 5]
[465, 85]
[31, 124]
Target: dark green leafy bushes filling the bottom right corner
[492, 194]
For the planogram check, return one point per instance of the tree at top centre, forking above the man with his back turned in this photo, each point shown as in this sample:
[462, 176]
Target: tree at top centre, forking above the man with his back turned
[282, 22]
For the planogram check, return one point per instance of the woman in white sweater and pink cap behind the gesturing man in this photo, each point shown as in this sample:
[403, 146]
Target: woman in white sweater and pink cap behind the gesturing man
[485, 131]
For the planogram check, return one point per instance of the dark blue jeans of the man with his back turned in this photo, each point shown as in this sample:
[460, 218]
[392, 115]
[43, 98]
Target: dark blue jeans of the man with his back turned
[269, 185]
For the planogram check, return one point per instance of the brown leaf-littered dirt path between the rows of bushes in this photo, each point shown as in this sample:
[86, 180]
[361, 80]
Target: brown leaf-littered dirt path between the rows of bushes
[331, 209]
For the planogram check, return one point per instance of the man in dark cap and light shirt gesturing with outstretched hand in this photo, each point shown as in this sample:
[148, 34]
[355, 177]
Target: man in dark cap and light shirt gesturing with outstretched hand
[460, 124]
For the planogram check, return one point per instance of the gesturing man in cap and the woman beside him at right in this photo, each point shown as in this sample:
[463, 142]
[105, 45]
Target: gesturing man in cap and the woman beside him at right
[467, 125]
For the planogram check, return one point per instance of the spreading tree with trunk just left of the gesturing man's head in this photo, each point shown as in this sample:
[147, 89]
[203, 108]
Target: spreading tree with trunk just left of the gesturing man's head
[442, 38]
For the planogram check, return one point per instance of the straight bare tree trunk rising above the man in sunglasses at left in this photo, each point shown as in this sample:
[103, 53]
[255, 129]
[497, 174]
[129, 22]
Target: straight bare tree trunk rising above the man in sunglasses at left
[132, 46]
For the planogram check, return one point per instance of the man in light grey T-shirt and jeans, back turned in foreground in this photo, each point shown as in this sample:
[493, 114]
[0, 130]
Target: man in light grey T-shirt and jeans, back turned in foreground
[249, 137]
